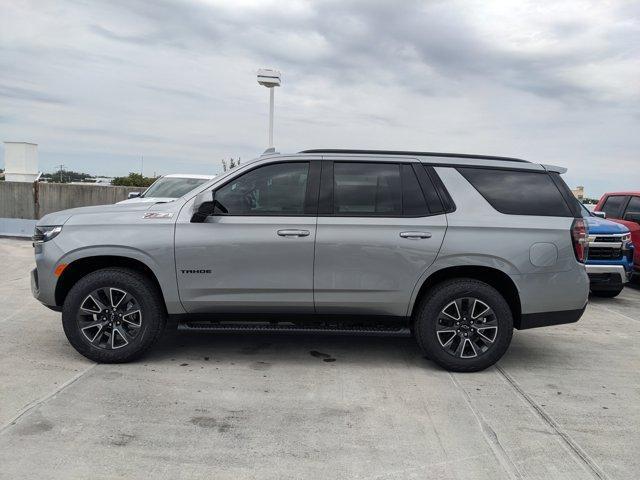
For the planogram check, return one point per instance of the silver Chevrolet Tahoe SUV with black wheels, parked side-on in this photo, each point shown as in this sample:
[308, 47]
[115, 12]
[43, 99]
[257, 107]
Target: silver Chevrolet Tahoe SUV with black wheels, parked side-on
[454, 249]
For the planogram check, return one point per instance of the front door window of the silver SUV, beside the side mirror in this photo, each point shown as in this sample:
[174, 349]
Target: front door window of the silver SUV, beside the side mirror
[278, 189]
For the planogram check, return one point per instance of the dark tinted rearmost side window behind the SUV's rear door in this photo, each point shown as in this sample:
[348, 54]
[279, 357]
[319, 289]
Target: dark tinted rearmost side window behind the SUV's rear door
[517, 192]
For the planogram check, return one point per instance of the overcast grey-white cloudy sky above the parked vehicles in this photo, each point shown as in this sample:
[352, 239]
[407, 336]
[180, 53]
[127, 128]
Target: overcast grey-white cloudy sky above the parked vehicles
[99, 84]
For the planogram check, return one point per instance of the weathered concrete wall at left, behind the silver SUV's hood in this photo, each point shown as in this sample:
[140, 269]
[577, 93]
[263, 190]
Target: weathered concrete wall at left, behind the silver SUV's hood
[34, 200]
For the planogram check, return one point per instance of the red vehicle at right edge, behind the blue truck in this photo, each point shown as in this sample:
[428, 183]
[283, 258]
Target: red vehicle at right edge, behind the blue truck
[624, 207]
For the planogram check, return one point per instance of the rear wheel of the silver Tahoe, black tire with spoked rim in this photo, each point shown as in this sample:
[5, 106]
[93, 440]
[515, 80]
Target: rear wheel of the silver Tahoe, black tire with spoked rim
[427, 324]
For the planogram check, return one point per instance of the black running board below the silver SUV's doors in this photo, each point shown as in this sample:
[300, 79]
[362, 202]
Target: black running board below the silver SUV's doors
[390, 331]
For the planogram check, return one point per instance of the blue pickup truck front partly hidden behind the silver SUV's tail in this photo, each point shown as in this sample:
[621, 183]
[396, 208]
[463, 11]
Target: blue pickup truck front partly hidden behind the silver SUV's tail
[610, 255]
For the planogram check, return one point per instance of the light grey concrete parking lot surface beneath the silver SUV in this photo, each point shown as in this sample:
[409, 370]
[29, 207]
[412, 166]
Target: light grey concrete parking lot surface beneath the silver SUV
[563, 403]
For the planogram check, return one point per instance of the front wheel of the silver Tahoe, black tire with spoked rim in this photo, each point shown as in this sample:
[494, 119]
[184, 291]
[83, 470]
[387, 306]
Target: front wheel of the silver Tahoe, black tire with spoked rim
[113, 315]
